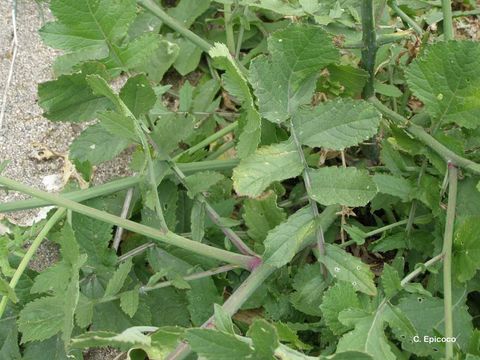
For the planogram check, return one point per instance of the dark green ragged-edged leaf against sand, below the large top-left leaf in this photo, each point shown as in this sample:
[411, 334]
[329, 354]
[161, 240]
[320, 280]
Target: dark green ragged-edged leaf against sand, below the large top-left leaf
[69, 98]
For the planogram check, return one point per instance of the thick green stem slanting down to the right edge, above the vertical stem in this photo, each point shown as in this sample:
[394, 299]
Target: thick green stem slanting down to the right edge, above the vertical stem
[420, 134]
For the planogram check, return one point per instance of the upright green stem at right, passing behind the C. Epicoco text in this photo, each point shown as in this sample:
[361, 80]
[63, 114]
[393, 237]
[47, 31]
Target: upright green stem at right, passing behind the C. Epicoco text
[447, 260]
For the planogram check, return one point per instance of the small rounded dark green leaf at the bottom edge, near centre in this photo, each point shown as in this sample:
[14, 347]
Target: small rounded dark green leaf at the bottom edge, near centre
[265, 339]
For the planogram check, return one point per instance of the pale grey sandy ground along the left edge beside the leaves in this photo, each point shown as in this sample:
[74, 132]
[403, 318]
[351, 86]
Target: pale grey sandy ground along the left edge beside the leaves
[25, 133]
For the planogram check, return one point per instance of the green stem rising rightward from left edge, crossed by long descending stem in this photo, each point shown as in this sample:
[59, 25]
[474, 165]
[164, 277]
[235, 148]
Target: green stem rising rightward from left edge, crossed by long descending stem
[118, 185]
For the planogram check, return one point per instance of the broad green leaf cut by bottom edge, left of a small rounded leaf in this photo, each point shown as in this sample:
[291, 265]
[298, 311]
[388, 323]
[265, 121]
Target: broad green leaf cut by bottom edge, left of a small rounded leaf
[215, 345]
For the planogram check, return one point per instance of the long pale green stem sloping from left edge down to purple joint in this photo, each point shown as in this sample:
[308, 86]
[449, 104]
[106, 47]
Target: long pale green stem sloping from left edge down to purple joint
[167, 238]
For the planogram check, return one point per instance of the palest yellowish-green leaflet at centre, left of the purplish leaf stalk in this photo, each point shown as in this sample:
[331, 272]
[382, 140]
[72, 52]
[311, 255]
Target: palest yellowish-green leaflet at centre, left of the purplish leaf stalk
[268, 164]
